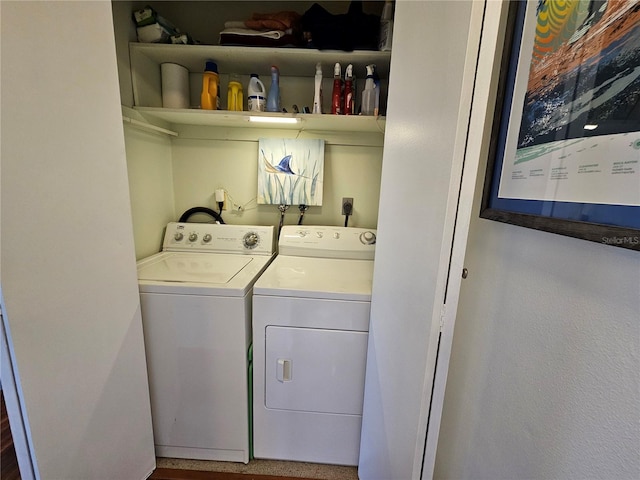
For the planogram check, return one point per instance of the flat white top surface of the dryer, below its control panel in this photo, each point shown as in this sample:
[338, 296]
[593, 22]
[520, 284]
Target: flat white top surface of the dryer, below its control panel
[308, 277]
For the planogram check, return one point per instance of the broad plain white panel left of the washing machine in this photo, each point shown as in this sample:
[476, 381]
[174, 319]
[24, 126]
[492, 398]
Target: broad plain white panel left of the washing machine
[69, 286]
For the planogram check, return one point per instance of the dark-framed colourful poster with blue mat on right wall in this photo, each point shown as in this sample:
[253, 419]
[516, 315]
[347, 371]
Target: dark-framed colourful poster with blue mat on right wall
[545, 170]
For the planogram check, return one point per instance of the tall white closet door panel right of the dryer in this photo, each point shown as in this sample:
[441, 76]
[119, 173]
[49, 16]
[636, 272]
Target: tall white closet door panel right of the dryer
[419, 253]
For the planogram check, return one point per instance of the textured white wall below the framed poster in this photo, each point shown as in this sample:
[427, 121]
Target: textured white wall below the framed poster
[544, 379]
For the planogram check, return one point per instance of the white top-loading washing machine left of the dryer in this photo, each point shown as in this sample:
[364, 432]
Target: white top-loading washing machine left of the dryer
[196, 312]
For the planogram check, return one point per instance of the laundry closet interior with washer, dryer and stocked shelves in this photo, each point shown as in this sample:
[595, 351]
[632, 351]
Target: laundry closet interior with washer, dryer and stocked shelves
[197, 153]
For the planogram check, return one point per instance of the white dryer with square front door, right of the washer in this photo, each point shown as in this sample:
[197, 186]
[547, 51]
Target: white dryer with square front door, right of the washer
[310, 327]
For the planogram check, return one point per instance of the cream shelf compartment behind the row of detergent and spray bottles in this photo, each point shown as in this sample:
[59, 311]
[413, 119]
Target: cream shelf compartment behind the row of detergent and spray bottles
[297, 69]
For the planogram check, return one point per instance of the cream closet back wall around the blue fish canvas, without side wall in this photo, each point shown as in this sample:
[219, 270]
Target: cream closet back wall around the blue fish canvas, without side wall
[202, 163]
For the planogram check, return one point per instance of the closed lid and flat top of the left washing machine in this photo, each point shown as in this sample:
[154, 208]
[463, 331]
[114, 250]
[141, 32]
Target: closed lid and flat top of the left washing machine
[195, 268]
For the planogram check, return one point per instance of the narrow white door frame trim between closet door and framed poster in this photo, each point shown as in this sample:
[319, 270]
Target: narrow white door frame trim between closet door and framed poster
[475, 114]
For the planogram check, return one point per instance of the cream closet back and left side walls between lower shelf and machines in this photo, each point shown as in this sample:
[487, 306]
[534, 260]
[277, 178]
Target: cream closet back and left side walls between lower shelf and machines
[169, 176]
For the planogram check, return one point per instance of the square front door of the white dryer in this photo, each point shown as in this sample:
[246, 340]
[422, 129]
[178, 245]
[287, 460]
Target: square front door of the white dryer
[315, 370]
